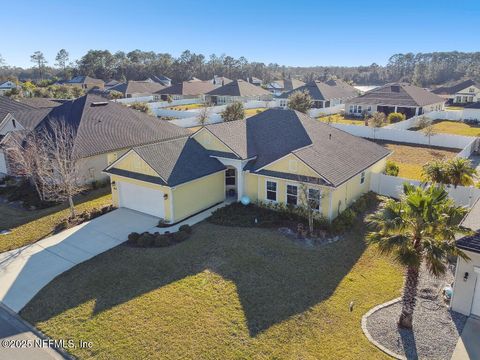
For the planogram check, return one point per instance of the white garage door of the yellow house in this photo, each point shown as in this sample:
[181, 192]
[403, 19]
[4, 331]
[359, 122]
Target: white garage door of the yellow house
[140, 198]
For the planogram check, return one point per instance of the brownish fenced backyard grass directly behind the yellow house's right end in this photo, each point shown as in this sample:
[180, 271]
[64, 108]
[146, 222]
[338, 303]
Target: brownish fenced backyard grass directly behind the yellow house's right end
[411, 158]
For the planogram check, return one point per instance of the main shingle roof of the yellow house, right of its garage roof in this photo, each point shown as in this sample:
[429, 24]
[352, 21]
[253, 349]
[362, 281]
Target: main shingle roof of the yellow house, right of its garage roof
[334, 154]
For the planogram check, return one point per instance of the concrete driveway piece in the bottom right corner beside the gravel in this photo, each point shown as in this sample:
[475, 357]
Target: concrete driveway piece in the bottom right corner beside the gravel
[468, 346]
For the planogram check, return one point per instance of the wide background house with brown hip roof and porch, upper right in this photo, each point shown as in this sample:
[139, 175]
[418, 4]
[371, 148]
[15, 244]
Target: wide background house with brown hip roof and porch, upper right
[396, 97]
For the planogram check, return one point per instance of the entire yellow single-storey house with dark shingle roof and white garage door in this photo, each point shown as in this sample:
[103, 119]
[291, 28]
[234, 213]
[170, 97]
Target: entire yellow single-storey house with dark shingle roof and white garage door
[272, 157]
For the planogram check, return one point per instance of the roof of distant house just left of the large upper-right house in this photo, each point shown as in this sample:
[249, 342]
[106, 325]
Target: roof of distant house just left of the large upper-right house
[332, 89]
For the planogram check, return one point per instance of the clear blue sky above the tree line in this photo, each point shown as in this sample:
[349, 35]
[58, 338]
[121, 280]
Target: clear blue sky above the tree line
[288, 32]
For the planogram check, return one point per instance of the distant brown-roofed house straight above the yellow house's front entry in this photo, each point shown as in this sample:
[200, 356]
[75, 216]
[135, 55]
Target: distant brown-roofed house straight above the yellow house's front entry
[238, 90]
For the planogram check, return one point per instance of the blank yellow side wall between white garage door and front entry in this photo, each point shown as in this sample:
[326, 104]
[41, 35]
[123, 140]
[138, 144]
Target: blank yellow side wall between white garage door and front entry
[196, 195]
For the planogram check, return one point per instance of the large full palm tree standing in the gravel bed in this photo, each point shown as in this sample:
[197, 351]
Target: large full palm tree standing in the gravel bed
[420, 227]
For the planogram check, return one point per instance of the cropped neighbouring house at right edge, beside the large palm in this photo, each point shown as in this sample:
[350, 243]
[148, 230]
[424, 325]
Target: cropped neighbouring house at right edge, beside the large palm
[466, 293]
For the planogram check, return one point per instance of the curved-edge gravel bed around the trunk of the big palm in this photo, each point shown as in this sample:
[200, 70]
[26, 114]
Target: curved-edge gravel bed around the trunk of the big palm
[435, 328]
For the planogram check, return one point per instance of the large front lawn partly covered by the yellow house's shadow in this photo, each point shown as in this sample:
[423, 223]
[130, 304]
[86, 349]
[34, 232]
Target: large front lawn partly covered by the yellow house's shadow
[226, 293]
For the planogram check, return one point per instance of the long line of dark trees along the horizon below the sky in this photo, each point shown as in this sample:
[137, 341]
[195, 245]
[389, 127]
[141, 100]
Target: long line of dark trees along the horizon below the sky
[422, 69]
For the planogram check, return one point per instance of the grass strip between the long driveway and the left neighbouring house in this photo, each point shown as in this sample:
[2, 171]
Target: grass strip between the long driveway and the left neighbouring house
[30, 226]
